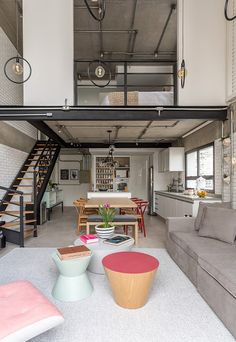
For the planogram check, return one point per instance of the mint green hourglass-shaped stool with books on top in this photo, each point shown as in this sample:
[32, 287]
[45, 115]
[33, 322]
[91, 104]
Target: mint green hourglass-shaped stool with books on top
[73, 283]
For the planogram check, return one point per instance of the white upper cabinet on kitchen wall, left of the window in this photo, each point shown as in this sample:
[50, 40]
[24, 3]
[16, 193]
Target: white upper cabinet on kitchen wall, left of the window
[171, 159]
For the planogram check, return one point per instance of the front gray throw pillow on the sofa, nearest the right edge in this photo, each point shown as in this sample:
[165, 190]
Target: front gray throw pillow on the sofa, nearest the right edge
[219, 223]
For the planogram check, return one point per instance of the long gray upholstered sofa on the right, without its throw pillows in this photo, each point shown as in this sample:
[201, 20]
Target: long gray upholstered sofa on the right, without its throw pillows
[209, 263]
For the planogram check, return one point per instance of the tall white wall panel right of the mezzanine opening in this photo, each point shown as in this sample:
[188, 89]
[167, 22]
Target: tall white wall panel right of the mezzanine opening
[204, 52]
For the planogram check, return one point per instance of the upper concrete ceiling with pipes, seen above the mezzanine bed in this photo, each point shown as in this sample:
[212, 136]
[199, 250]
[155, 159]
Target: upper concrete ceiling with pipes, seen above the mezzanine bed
[147, 17]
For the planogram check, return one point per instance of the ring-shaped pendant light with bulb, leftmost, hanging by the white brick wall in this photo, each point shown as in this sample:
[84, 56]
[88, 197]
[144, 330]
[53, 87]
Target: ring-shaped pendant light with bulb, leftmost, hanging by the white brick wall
[17, 69]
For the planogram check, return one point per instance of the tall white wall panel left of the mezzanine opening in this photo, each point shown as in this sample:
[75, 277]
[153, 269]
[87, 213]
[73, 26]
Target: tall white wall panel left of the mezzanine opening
[48, 46]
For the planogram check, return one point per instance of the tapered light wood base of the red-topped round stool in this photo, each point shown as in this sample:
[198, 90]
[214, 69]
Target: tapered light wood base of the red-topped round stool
[130, 290]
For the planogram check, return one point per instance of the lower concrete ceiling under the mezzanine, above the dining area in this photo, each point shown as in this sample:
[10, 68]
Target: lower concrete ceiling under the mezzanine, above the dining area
[122, 131]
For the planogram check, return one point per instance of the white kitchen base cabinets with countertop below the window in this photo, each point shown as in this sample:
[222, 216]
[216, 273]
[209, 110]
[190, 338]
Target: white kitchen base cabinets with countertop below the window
[173, 204]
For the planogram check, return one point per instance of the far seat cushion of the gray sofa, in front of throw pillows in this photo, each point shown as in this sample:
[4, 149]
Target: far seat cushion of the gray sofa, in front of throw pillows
[195, 246]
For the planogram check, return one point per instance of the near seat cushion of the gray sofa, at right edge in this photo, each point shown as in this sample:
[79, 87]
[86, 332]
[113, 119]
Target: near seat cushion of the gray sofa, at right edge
[222, 267]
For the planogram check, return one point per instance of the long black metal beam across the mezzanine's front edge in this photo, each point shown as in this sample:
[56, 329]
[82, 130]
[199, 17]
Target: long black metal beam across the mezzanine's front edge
[109, 113]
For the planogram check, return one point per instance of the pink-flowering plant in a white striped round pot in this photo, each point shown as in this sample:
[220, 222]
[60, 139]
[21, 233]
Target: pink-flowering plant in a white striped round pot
[106, 229]
